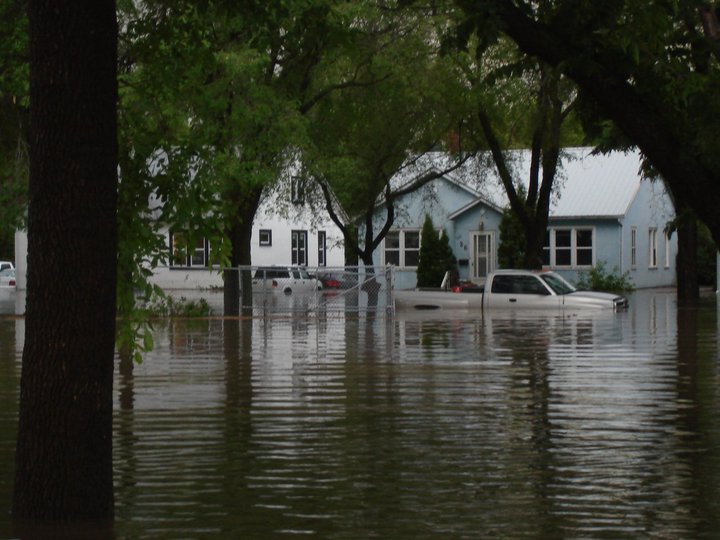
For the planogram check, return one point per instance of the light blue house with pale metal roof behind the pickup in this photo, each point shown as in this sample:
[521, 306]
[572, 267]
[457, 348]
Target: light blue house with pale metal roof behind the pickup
[602, 211]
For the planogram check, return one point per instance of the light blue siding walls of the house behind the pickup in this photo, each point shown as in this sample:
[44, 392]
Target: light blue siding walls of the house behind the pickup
[650, 208]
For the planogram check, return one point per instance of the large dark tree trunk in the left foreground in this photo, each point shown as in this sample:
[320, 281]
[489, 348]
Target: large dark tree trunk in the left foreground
[64, 445]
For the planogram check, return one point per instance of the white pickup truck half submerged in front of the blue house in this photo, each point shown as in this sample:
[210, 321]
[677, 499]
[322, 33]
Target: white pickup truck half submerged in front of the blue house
[513, 289]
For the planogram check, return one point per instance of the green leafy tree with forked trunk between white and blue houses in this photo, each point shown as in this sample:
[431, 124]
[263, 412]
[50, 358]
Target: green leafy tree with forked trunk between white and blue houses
[407, 102]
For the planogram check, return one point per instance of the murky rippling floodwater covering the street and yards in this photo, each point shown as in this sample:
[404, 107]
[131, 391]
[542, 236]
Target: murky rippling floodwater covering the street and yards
[432, 425]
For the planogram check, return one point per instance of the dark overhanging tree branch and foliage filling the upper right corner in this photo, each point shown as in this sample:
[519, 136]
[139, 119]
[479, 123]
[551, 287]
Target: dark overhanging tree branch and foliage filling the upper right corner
[652, 67]
